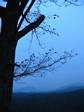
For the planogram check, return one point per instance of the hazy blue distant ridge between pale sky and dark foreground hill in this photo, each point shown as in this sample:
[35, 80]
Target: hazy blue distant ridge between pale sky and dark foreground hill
[31, 89]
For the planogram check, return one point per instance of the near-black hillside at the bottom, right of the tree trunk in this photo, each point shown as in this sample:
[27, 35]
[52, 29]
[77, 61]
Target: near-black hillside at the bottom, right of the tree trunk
[49, 102]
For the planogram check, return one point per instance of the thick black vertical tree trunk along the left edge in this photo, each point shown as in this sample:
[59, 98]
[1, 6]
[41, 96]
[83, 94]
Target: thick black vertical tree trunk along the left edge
[8, 43]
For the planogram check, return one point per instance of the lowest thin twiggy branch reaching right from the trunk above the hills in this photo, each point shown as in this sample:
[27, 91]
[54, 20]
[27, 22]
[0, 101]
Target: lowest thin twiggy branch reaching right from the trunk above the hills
[38, 65]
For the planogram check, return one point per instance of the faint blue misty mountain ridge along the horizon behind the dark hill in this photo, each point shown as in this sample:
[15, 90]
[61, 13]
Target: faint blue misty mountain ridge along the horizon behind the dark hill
[67, 88]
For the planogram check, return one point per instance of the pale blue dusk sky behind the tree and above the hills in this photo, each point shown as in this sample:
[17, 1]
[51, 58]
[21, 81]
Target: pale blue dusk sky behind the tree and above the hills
[70, 26]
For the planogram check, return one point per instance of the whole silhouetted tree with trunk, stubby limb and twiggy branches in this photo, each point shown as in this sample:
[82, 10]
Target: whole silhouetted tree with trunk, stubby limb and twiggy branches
[12, 16]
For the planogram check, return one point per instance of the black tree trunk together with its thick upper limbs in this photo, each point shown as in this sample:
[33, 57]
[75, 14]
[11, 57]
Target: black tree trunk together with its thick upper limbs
[12, 17]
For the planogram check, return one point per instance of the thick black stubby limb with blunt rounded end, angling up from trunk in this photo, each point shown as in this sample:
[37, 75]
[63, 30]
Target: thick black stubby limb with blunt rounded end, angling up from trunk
[30, 27]
